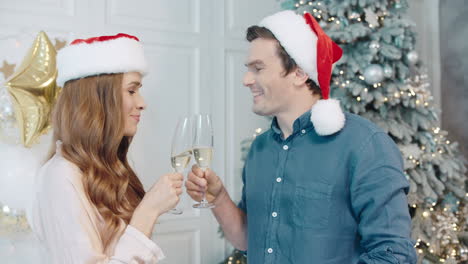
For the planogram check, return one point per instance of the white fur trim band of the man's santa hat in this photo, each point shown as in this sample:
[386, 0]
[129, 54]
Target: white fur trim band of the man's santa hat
[296, 37]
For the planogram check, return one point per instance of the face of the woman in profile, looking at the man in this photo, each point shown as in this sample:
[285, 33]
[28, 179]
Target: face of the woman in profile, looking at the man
[132, 102]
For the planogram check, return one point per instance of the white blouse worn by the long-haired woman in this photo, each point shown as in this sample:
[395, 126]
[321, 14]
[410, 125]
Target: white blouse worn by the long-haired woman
[69, 226]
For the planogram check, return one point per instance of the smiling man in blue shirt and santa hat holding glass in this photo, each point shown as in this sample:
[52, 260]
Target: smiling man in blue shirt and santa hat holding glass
[320, 186]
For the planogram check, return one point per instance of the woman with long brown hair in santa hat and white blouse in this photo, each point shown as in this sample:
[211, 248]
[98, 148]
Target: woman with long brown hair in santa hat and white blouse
[90, 206]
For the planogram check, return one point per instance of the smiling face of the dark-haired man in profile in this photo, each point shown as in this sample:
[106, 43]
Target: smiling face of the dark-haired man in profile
[270, 89]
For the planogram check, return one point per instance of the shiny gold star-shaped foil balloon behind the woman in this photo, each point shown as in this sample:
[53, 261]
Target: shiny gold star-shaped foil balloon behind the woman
[33, 89]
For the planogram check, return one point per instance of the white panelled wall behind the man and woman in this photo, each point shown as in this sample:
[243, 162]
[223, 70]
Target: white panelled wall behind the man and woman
[196, 51]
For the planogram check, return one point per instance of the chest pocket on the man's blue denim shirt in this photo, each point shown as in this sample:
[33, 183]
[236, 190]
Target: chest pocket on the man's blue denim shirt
[312, 205]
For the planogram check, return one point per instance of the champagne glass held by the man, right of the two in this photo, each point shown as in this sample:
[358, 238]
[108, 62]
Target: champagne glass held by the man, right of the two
[203, 149]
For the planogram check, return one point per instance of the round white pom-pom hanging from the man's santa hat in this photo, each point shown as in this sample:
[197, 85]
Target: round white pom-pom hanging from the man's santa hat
[327, 117]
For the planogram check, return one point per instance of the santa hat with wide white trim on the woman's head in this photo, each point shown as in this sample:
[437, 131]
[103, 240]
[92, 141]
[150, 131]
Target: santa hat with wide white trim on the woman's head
[100, 55]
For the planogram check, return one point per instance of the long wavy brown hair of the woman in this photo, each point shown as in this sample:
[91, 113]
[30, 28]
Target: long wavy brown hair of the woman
[89, 121]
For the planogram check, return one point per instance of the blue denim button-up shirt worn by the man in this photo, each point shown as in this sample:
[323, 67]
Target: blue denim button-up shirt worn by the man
[326, 199]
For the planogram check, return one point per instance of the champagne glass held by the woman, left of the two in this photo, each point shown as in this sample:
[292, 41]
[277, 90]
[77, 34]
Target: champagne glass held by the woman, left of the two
[181, 151]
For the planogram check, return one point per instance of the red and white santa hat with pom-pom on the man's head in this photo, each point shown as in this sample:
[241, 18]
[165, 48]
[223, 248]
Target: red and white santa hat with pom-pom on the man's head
[315, 52]
